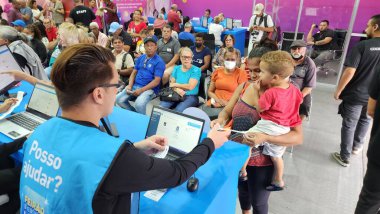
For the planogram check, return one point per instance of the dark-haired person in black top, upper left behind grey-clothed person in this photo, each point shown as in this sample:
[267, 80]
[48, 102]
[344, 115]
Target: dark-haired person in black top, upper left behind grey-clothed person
[35, 40]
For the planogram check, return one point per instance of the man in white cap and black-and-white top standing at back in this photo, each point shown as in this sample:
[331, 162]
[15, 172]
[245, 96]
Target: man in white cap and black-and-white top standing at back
[260, 25]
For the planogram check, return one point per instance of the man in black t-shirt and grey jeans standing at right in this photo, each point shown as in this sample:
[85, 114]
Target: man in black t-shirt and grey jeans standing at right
[352, 89]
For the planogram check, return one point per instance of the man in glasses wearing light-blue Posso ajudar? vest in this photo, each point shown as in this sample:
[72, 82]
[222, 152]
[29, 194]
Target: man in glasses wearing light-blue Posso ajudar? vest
[107, 170]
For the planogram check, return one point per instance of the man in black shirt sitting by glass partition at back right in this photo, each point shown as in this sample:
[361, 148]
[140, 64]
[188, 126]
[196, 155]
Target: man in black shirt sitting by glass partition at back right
[322, 42]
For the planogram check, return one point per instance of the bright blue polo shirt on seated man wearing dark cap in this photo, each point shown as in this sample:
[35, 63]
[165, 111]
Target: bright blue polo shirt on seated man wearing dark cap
[148, 69]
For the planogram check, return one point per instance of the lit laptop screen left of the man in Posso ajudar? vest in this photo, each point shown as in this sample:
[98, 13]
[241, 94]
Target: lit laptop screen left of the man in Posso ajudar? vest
[44, 100]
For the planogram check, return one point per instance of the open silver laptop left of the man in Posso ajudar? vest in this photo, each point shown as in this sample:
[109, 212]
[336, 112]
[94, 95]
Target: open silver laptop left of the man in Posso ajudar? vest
[43, 105]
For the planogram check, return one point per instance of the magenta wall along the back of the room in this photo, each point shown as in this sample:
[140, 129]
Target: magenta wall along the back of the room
[337, 12]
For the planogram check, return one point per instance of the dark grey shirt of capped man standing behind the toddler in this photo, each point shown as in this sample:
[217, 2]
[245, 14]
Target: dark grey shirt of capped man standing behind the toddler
[305, 74]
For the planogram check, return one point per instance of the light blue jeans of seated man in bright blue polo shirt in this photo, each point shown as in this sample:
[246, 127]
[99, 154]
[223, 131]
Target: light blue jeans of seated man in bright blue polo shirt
[122, 99]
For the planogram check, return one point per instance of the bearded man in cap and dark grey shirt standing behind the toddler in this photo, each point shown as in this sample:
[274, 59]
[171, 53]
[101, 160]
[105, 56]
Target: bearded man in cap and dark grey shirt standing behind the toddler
[304, 76]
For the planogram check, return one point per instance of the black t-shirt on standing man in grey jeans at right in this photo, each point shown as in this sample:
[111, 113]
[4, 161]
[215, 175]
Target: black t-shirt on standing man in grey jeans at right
[364, 57]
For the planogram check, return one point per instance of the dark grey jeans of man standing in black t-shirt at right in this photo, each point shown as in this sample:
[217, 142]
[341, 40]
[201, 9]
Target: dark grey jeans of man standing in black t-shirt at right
[355, 125]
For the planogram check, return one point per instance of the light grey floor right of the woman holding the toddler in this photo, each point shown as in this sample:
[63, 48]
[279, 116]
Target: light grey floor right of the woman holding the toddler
[315, 182]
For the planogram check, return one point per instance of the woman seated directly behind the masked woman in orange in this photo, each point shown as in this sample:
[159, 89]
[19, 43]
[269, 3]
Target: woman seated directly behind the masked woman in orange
[218, 60]
